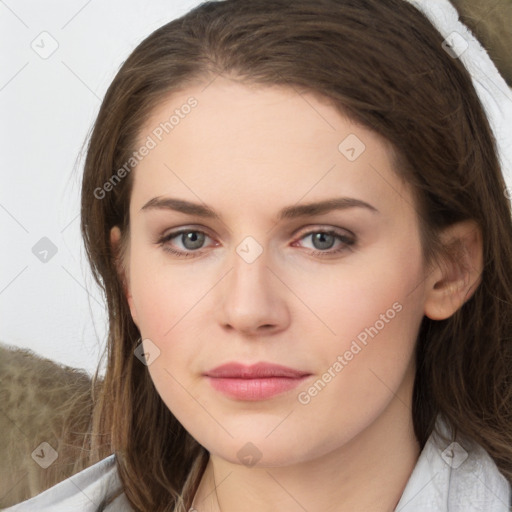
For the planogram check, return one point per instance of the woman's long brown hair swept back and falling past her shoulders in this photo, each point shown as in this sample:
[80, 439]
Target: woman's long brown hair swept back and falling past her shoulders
[380, 62]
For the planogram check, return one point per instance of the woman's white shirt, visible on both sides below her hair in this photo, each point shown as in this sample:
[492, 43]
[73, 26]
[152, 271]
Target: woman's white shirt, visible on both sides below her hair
[445, 479]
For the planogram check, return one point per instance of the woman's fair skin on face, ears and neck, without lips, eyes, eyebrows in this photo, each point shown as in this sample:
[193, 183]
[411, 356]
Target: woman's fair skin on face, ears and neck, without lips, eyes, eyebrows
[247, 152]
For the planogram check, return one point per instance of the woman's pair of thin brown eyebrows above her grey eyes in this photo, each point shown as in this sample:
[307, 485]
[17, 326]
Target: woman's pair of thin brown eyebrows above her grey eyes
[289, 212]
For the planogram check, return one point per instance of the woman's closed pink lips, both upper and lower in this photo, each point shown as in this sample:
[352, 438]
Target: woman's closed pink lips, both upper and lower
[256, 382]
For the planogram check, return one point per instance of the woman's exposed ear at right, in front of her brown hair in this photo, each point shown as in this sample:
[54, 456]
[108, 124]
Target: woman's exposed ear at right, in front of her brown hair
[454, 281]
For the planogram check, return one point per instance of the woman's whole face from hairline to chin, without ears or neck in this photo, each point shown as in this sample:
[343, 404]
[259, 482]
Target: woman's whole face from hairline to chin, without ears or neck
[334, 294]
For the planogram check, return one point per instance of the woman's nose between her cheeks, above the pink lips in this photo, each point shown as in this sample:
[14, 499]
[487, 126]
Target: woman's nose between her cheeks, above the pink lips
[252, 299]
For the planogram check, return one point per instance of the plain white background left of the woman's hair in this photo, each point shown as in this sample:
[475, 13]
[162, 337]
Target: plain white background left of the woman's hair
[47, 107]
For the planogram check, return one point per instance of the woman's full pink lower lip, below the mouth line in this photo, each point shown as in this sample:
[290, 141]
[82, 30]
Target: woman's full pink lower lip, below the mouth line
[255, 389]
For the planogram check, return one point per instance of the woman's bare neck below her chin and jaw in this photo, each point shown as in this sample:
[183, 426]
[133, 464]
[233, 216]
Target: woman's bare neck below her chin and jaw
[369, 473]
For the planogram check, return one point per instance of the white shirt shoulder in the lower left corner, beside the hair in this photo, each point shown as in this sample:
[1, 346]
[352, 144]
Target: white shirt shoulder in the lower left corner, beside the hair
[82, 492]
